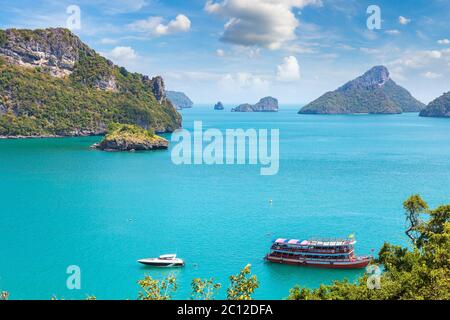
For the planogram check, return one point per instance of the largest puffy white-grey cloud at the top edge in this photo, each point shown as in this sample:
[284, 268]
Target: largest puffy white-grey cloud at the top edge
[263, 23]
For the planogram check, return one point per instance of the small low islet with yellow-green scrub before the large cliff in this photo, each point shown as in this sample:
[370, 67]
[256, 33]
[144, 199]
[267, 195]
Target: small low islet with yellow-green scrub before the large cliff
[129, 137]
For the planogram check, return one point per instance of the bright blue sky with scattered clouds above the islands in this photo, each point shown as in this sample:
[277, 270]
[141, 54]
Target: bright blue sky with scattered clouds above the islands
[241, 50]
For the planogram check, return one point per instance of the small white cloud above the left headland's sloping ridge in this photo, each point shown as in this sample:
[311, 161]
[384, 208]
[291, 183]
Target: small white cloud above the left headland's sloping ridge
[156, 26]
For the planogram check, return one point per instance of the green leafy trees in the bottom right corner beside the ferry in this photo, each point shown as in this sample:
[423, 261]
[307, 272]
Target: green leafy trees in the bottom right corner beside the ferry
[420, 273]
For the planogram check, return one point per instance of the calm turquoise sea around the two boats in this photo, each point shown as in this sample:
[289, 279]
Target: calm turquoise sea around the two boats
[63, 204]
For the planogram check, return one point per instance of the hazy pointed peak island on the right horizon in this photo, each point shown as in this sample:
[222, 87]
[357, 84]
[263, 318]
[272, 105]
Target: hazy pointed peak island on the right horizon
[374, 92]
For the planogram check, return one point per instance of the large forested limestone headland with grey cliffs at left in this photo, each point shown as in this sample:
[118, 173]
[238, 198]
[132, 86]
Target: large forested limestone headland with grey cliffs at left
[52, 84]
